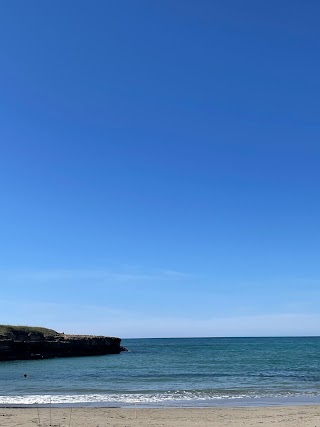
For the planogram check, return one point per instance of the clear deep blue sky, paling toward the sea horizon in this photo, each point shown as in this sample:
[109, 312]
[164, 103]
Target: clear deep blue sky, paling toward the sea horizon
[159, 167]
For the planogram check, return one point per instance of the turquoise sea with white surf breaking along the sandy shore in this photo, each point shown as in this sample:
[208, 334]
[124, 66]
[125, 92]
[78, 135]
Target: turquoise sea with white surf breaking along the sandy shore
[173, 372]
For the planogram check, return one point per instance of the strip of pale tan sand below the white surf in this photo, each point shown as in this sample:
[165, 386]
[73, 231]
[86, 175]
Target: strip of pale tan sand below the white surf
[291, 416]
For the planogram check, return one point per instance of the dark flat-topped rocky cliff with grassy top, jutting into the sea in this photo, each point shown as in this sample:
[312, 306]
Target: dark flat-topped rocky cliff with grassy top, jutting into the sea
[23, 343]
